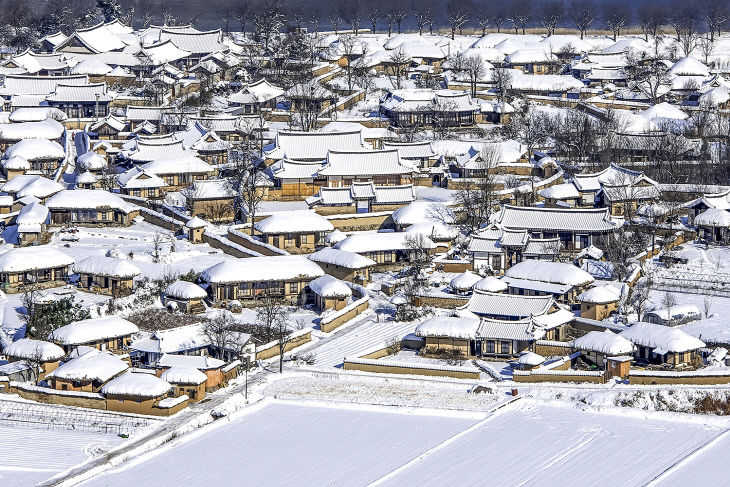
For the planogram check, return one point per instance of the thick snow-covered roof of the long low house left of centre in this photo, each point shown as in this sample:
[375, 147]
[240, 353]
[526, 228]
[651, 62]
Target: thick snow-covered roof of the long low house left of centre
[269, 268]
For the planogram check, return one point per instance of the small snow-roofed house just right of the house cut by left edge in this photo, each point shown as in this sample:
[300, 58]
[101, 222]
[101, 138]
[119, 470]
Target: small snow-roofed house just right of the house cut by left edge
[107, 275]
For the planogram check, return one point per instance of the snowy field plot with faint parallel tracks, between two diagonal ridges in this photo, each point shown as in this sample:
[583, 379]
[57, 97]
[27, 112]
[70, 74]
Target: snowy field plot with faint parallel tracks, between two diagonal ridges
[530, 445]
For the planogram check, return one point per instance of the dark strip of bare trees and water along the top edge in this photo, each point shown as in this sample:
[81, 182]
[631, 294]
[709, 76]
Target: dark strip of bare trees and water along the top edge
[21, 23]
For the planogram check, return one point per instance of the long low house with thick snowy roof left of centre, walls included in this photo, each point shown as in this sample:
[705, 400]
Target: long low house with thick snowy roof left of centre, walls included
[281, 277]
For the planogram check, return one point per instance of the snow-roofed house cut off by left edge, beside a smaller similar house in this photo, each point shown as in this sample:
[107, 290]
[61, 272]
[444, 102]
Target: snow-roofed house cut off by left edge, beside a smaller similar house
[47, 267]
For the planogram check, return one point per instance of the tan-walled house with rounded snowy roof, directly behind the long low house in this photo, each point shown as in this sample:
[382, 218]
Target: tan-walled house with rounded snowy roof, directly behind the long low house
[294, 231]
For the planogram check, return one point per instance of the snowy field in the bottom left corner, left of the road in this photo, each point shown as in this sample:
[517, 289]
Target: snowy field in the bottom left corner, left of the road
[32, 455]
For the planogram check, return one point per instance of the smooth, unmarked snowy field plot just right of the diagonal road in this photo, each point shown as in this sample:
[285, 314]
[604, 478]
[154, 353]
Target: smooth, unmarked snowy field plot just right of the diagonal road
[314, 446]
